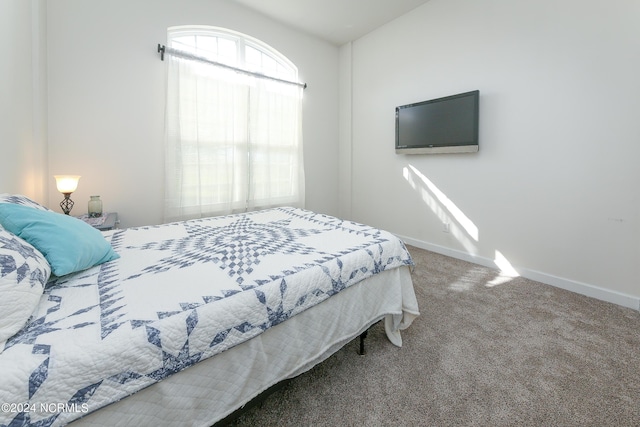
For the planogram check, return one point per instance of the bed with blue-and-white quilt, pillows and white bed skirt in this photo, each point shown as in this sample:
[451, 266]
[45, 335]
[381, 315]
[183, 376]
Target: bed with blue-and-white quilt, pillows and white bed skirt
[182, 323]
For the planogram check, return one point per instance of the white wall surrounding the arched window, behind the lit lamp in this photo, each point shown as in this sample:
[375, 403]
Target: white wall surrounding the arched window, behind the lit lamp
[106, 98]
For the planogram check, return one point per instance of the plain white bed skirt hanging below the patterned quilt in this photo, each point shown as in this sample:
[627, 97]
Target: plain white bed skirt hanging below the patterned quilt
[213, 388]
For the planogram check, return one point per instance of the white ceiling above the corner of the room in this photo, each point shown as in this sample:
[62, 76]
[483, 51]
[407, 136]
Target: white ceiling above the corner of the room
[337, 21]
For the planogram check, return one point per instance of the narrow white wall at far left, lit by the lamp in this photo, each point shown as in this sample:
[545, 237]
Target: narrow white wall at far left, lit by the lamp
[22, 112]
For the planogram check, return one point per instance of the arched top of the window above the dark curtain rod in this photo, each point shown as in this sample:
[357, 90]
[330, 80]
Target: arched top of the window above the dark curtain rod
[232, 48]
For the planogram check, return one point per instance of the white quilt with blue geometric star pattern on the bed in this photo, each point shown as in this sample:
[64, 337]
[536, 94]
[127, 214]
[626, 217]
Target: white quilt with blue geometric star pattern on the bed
[179, 293]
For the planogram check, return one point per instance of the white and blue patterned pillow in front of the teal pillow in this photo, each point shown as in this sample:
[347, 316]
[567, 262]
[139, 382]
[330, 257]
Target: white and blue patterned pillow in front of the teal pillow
[24, 272]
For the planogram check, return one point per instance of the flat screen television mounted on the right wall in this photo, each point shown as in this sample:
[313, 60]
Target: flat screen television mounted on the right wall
[442, 125]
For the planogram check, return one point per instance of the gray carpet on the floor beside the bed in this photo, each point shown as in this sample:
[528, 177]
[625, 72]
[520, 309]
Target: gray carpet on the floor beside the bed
[518, 353]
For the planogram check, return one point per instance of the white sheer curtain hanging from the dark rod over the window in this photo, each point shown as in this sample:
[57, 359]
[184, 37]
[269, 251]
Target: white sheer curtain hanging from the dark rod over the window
[233, 142]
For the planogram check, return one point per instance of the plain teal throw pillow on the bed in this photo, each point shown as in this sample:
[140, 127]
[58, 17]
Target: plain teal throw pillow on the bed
[68, 244]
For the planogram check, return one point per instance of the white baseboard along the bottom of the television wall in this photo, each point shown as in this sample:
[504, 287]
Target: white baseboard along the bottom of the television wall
[603, 294]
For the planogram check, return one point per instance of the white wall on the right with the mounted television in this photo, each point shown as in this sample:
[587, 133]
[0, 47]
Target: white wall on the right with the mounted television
[554, 188]
